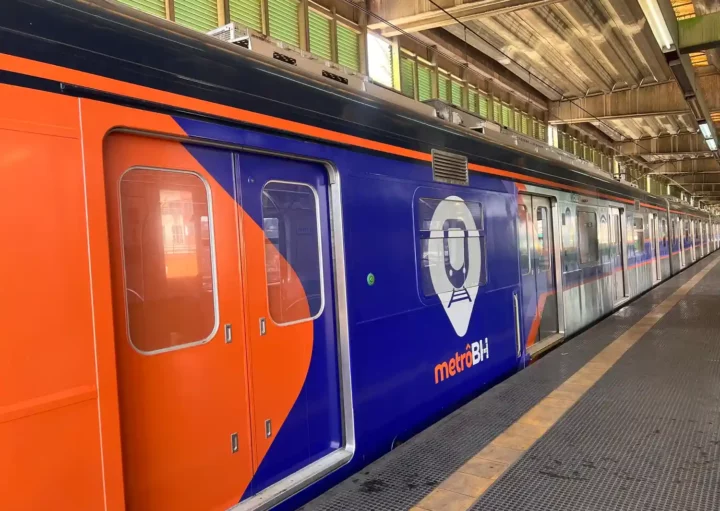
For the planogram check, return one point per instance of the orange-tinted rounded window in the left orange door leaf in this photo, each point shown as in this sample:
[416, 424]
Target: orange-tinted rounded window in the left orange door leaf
[168, 258]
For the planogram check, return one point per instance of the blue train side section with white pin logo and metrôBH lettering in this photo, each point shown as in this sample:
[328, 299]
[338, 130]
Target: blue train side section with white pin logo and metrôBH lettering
[429, 328]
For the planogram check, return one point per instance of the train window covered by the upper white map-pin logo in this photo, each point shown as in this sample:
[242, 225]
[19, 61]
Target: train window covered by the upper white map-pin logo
[452, 246]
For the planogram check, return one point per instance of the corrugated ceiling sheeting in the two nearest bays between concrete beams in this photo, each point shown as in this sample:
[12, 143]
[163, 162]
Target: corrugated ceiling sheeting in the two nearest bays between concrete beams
[585, 47]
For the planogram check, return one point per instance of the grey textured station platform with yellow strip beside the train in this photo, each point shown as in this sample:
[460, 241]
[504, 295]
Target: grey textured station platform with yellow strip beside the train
[623, 416]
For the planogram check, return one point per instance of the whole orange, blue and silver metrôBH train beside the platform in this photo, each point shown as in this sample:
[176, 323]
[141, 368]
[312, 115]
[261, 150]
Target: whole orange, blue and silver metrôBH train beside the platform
[248, 283]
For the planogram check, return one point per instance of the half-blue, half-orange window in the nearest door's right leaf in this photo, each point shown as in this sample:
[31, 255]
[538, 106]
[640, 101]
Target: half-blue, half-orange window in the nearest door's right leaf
[293, 261]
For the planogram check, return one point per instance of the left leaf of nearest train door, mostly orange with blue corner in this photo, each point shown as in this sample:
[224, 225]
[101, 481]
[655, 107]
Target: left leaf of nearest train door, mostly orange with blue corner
[184, 413]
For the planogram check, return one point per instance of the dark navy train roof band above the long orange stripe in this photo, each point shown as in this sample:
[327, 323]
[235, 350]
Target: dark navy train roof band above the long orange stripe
[102, 38]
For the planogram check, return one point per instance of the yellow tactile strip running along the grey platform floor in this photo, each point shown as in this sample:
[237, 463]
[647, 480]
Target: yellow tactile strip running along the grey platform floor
[460, 491]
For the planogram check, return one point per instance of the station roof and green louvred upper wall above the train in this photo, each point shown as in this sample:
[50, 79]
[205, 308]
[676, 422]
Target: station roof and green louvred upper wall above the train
[632, 86]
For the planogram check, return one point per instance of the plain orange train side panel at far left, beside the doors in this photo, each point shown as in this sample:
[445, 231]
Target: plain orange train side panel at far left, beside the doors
[49, 434]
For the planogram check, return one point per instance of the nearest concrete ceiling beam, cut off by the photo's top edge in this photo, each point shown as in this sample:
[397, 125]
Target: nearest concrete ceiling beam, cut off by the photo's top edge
[416, 16]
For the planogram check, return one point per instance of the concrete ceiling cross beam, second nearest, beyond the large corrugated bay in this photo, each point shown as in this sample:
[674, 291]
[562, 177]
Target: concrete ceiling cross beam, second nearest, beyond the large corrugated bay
[647, 101]
